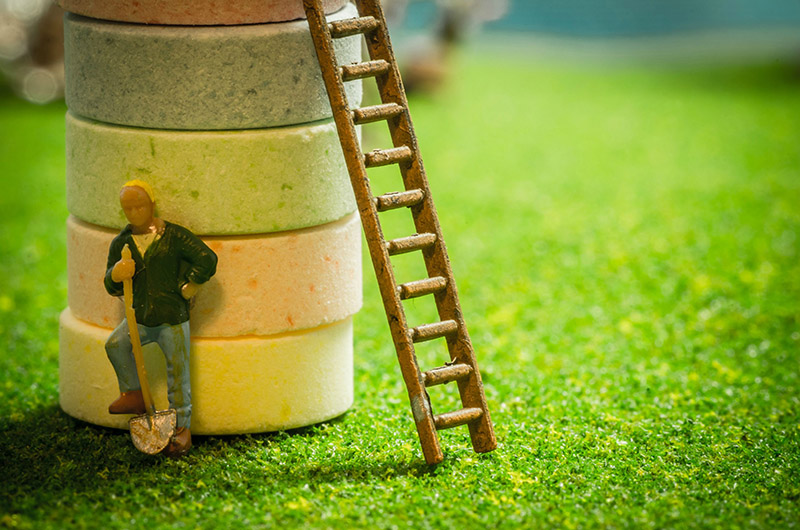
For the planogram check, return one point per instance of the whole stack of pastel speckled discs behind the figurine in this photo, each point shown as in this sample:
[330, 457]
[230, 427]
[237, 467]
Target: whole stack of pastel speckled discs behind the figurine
[221, 108]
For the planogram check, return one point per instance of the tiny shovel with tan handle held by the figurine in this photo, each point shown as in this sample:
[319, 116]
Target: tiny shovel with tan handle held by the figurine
[152, 431]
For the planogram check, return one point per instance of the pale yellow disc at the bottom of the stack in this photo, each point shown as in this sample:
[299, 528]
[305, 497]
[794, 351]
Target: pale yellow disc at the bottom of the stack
[239, 385]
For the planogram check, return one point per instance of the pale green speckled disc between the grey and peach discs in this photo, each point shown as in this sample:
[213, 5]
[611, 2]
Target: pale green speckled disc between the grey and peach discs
[212, 182]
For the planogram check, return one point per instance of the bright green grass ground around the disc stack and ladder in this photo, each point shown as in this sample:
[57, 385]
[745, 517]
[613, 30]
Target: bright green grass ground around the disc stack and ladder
[626, 246]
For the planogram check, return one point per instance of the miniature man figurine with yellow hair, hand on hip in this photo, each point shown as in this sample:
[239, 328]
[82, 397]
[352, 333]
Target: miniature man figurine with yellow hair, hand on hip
[167, 266]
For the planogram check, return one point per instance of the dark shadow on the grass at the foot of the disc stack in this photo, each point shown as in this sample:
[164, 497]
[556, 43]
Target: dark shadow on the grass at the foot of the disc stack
[46, 452]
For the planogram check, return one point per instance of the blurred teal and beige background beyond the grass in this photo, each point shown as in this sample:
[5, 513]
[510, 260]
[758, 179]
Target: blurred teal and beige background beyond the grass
[425, 33]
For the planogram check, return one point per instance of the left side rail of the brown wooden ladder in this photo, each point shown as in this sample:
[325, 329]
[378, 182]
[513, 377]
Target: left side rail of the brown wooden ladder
[420, 404]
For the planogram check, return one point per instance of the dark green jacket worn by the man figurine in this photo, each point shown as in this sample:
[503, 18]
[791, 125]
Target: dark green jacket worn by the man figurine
[169, 262]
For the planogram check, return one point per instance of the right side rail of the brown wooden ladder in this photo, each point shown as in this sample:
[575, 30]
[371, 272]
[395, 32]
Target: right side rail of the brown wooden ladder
[426, 220]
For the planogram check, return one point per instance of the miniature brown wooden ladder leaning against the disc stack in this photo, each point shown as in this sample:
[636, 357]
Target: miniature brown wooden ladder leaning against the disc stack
[463, 367]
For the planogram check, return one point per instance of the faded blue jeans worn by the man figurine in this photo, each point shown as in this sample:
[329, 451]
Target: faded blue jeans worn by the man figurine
[174, 342]
